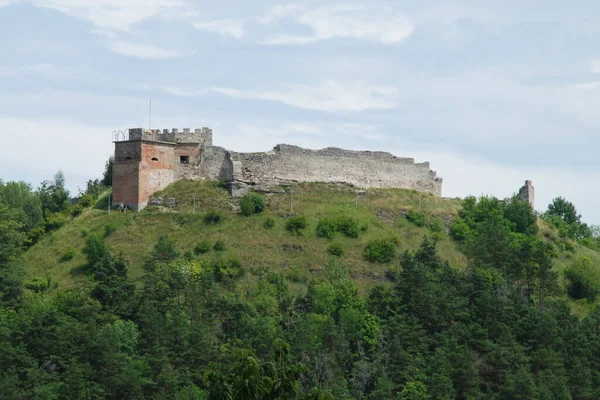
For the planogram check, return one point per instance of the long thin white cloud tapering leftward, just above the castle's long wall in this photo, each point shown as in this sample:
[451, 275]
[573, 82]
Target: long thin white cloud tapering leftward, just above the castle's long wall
[328, 96]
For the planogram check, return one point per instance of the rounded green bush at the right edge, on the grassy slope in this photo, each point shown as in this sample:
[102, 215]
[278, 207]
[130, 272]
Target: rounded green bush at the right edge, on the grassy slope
[583, 279]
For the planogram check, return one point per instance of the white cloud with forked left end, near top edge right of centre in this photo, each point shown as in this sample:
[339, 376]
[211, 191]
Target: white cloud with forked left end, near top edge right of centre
[330, 22]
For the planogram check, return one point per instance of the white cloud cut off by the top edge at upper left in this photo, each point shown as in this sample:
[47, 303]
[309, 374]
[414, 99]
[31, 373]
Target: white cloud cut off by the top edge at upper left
[111, 14]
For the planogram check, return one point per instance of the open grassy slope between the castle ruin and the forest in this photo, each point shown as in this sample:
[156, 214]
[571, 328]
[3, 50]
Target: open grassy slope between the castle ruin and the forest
[299, 257]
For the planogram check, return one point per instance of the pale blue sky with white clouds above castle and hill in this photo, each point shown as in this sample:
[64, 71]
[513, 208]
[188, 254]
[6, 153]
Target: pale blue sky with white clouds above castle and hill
[490, 92]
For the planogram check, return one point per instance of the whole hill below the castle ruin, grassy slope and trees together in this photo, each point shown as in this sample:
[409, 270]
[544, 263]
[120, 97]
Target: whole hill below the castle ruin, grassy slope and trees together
[312, 298]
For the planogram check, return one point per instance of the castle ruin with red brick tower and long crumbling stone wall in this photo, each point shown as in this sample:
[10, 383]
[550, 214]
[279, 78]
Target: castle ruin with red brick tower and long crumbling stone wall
[147, 161]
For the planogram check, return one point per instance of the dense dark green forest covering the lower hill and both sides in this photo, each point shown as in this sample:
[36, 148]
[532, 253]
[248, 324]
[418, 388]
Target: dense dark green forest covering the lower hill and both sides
[196, 327]
